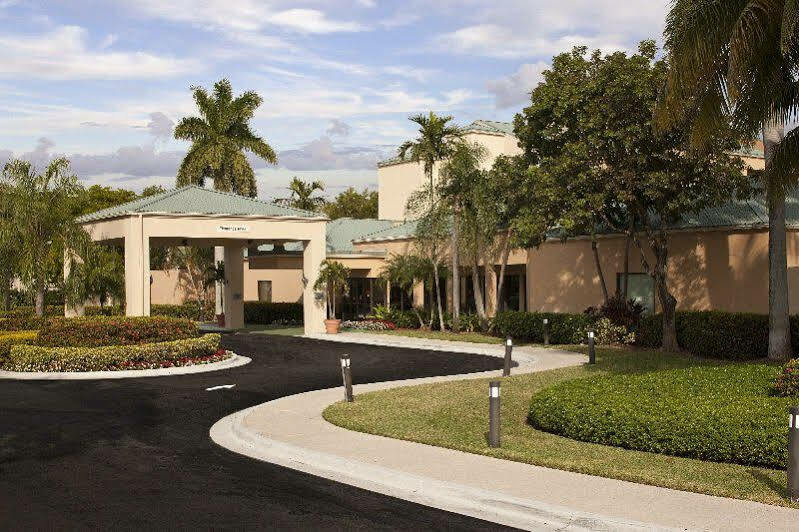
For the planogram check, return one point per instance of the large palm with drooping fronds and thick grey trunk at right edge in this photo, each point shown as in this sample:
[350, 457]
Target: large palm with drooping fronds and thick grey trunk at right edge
[735, 62]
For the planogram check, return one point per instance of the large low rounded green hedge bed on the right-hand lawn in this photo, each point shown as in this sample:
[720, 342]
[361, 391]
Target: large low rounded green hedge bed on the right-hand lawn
[721, 413]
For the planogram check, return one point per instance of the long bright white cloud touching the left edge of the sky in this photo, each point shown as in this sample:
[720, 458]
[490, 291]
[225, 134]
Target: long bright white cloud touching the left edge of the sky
[63, 53]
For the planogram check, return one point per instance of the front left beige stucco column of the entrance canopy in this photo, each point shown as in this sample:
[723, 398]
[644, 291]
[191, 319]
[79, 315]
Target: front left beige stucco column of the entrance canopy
[137, 269]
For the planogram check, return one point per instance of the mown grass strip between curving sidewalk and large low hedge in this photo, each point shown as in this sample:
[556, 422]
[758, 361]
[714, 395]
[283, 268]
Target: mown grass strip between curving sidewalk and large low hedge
[455, 415]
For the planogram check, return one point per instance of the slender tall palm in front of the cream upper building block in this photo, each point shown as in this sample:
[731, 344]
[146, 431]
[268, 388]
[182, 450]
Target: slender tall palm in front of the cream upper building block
[436, 142]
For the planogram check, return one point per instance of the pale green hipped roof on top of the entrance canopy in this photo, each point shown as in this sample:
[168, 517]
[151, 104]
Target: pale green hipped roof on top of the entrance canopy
[198, 200]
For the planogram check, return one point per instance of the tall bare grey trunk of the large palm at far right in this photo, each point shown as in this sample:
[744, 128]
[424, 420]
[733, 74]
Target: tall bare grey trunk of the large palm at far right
[779, 333]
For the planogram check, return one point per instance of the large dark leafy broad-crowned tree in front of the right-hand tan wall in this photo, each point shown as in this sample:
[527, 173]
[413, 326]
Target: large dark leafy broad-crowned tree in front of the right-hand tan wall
[595, 146]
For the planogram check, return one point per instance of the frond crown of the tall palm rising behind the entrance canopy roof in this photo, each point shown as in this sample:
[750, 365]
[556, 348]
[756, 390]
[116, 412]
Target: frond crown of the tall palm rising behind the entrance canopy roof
[220, 136]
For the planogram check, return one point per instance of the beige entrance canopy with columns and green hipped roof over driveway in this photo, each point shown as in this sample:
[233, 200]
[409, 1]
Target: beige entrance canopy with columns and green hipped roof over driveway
[195, 216]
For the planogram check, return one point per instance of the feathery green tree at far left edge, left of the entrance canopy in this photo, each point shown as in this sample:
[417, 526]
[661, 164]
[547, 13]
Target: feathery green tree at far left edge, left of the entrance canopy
[41, 207]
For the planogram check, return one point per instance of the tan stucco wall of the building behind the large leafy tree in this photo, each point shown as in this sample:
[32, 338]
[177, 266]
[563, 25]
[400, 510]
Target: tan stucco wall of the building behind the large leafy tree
[707, 270]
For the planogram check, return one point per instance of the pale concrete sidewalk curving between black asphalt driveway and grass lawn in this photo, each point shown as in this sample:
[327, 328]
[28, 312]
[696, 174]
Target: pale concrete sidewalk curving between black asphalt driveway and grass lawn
[291, 432]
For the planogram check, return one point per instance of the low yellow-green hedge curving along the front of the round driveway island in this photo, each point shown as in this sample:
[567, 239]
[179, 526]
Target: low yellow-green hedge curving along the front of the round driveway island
[115, 357]
